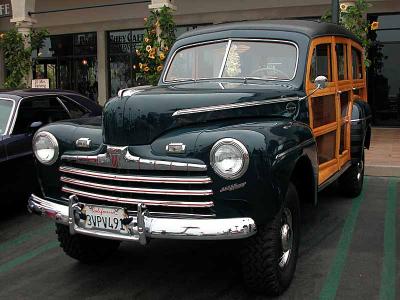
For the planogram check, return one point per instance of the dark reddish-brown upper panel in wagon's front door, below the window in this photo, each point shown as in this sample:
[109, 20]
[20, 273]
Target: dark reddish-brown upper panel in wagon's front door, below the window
[324, 110]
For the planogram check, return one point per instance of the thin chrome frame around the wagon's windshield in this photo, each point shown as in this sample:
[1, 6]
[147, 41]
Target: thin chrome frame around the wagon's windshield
[232, 39]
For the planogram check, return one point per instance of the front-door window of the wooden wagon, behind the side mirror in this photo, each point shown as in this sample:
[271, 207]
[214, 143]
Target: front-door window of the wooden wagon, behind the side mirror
[321, 62]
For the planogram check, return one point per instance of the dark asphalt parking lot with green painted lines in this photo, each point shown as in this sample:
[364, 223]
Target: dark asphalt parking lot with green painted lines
[348, 252]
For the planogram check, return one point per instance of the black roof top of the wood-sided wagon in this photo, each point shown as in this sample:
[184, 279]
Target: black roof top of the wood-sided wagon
[312, 29]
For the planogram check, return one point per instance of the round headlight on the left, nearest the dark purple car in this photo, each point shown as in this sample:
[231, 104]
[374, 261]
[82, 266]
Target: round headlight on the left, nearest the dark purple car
[45, 147]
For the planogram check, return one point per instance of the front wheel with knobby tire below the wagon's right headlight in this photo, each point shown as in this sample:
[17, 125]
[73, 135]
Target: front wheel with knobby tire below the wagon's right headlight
[269, 258]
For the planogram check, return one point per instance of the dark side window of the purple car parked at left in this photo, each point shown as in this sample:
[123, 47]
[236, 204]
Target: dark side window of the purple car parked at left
[45, 109]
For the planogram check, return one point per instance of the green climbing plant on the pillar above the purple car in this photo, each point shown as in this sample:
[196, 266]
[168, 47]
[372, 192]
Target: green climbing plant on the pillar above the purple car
[18, 59]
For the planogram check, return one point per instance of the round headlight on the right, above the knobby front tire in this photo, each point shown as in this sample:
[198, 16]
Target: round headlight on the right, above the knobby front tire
[229, 158]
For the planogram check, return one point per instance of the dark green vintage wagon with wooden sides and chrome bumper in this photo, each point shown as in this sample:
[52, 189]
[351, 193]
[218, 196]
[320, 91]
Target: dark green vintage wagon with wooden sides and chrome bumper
[247, 120]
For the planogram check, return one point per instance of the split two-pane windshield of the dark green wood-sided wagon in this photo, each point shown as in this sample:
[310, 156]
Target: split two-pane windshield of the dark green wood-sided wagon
[235, 59]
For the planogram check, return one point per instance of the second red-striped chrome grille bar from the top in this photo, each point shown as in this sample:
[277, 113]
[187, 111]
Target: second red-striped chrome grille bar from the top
[125, 189]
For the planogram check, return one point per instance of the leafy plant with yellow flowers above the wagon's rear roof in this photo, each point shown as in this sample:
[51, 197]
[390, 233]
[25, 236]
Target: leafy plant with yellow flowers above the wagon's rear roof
[352, 17]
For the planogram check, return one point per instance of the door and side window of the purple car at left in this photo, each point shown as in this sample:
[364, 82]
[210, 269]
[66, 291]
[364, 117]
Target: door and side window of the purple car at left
[45, 109]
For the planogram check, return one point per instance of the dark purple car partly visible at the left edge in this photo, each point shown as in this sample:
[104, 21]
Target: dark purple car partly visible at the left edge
[22, 112]
